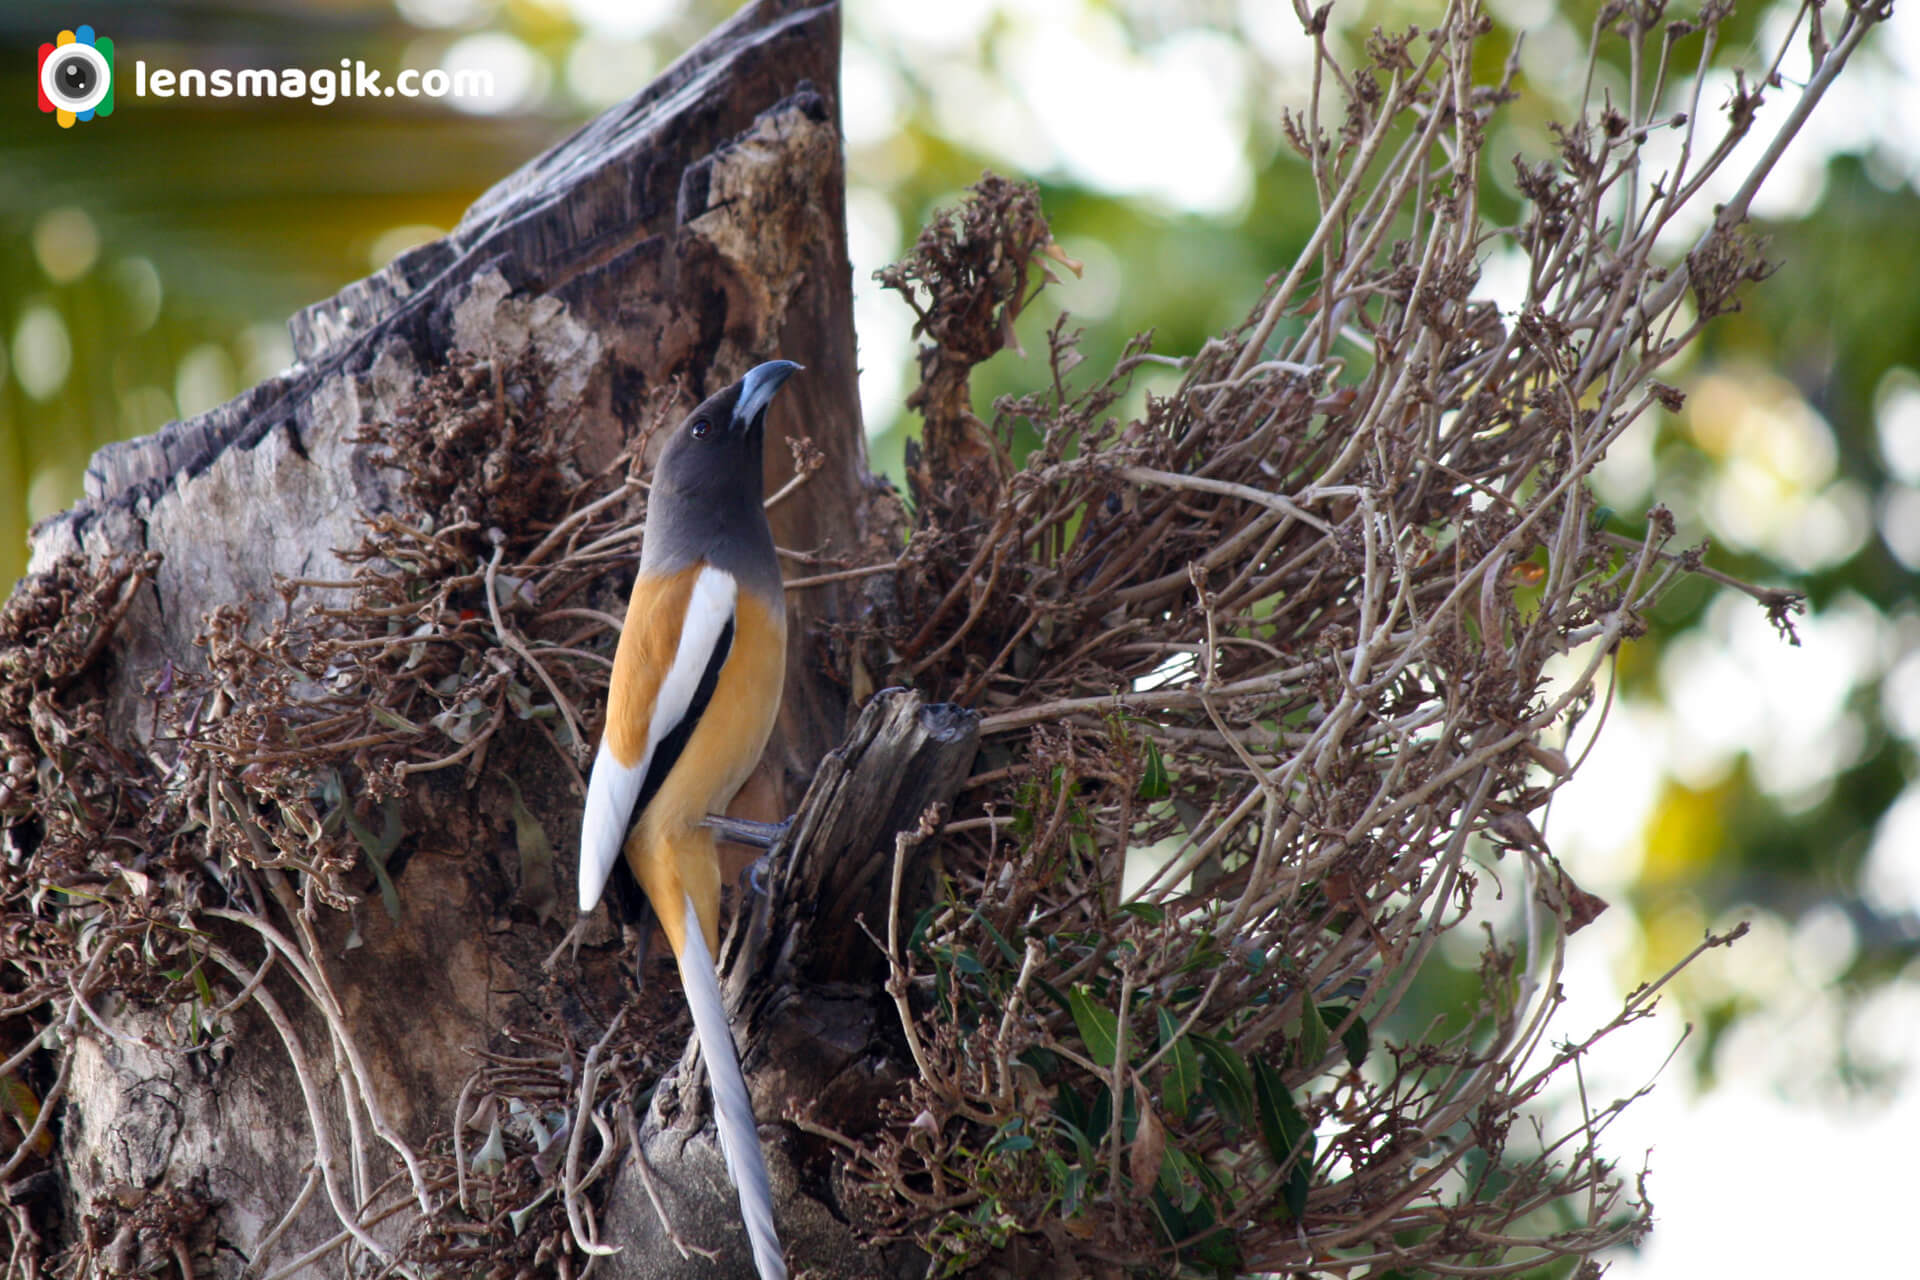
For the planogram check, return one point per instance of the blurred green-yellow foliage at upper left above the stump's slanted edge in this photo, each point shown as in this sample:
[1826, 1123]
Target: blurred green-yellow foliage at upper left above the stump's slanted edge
[149, 262]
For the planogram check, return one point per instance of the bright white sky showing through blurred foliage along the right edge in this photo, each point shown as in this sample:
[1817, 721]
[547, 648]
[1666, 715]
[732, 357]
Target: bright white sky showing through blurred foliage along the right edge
[1754, 1177]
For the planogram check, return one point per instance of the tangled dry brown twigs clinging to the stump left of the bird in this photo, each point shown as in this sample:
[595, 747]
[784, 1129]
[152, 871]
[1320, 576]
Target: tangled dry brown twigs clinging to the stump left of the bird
[189, 878]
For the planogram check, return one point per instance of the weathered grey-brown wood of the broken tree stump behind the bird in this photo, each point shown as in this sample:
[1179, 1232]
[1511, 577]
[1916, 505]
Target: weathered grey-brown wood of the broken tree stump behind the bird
[683, 237]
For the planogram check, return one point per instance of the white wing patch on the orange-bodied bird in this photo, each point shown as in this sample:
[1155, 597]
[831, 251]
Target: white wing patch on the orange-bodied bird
[615, 788]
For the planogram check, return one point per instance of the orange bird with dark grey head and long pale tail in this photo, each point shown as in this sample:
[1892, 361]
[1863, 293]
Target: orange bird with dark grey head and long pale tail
[694, 696]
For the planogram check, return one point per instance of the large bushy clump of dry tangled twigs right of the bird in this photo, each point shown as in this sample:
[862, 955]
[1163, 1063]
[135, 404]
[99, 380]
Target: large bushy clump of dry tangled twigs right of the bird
[1276, 675]
